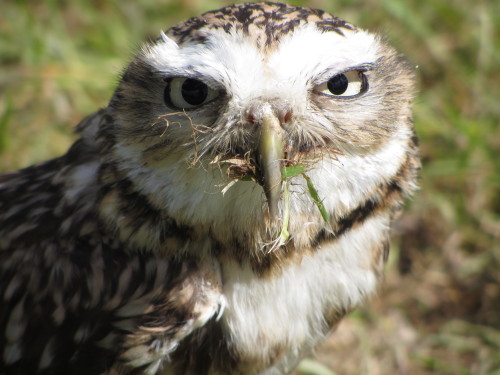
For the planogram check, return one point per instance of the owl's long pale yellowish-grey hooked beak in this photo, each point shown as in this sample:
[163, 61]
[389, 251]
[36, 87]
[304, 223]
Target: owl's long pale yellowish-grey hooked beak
[270, 159]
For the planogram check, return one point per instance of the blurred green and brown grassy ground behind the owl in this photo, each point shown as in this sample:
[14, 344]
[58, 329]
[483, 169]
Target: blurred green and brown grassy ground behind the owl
[439, 309]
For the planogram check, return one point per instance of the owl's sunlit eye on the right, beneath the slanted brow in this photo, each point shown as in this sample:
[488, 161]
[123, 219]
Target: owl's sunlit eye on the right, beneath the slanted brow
[346, 84]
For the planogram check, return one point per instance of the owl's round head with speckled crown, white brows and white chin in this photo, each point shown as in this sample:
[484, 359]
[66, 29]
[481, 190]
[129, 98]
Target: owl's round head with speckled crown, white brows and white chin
[241, 93]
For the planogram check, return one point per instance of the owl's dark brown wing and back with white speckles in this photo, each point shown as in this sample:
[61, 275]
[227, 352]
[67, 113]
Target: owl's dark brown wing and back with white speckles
[77, 300]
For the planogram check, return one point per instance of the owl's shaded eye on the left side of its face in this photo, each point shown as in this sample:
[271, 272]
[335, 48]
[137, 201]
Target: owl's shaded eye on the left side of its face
[188, 93]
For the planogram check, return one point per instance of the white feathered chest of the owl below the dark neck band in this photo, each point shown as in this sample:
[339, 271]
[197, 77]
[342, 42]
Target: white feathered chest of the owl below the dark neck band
[276, 320]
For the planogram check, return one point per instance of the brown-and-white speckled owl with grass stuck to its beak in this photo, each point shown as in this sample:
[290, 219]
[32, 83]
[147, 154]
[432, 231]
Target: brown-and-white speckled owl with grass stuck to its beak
[222, 214]
